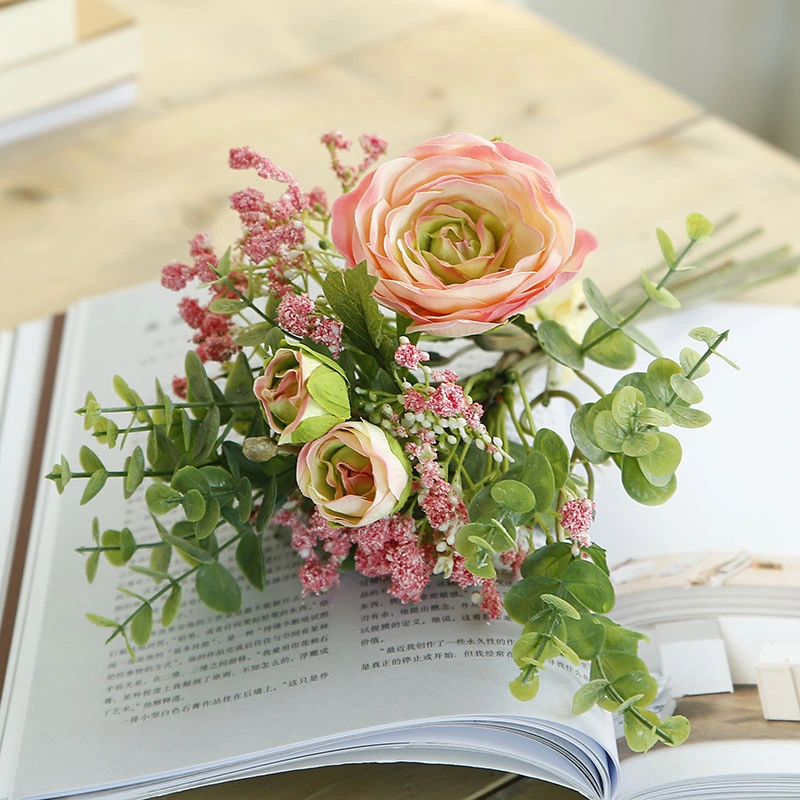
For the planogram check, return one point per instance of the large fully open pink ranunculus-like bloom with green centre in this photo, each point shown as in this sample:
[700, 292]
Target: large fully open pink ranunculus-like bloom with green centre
[462, 233]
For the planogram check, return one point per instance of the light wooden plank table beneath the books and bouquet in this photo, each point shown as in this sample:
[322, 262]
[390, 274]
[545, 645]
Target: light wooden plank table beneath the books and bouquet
[105, 204]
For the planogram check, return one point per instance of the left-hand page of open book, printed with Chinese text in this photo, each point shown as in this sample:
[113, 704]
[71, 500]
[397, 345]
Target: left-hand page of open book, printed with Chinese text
[279, 674]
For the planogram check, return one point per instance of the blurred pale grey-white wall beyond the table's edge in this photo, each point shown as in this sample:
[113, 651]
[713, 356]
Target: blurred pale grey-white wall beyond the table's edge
[738, 58]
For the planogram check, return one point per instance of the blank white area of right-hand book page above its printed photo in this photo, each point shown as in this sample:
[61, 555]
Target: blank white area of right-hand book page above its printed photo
[737, 472]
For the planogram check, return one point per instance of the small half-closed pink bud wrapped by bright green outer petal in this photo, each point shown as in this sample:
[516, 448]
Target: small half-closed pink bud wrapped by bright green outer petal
[304, 394]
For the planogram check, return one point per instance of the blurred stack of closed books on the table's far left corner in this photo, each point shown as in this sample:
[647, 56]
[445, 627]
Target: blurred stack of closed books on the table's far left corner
[62, 61]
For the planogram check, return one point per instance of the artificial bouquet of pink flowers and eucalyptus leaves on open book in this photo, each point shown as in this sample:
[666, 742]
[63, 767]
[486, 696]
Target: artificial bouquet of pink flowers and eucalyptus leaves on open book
[324, 402]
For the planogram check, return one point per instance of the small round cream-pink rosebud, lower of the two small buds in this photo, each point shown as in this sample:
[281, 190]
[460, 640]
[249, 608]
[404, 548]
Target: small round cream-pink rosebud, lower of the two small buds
[355, 474]
